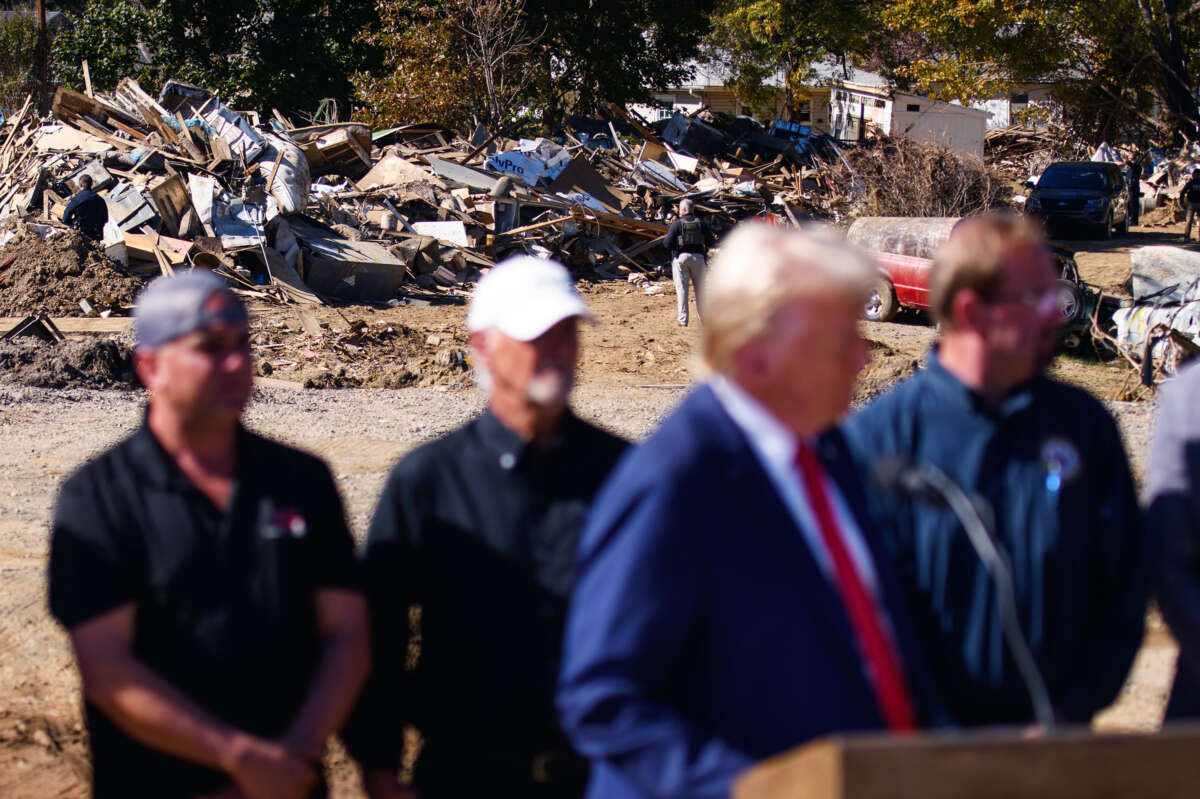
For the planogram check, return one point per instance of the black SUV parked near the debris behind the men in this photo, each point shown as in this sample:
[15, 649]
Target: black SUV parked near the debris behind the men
[1090, 193]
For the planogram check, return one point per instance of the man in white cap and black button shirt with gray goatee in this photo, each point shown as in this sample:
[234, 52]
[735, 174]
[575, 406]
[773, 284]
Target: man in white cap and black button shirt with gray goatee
[479, 530]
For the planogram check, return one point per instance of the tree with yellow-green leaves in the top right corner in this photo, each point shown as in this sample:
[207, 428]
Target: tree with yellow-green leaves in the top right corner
[1114, 61]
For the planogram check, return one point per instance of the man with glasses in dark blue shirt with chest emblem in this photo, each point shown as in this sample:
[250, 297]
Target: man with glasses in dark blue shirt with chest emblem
[1049, 460]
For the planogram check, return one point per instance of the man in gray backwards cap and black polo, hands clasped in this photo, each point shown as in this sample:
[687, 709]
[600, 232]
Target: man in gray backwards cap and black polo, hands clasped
[207, 578]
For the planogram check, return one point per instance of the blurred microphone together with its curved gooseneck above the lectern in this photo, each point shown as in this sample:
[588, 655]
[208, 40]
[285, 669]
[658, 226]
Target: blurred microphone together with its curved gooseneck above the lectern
[928, 484]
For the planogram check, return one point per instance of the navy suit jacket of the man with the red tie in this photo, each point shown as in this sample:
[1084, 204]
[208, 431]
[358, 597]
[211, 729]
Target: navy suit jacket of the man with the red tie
[703, 634]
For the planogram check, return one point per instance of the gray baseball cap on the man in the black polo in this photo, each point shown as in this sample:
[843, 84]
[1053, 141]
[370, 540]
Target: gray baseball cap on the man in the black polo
[175, 307]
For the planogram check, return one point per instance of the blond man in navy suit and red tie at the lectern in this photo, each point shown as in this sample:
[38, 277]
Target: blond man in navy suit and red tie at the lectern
[734, 600]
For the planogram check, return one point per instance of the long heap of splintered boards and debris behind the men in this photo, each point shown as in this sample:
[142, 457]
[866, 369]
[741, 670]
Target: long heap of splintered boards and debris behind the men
[341, 214]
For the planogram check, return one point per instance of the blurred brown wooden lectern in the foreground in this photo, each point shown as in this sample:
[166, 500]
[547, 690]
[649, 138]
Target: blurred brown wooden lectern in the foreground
[987, 765]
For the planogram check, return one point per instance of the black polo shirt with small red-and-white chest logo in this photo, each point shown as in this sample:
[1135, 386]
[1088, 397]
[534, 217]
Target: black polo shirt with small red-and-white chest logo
[225, 600]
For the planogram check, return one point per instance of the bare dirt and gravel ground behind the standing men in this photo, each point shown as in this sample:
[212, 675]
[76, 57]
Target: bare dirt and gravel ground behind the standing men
[637, 364]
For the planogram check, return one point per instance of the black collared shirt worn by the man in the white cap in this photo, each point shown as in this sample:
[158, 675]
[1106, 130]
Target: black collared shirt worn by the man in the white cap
[481, 531]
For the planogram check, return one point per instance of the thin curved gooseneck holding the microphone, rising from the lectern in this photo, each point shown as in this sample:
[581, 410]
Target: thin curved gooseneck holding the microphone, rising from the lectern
[998, 567]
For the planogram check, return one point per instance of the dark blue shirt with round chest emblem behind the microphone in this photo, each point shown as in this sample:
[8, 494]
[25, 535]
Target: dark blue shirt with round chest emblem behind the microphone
[1052, 465]
